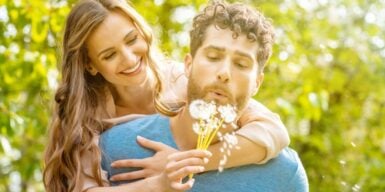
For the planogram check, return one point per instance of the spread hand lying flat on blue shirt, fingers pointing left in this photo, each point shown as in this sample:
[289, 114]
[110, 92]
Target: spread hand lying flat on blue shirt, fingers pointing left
[151, 166]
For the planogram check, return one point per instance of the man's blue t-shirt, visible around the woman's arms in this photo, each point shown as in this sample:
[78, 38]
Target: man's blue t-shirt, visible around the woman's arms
[284, 173]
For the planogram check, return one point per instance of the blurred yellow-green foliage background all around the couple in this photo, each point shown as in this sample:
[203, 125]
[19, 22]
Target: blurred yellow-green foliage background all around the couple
[326, 80]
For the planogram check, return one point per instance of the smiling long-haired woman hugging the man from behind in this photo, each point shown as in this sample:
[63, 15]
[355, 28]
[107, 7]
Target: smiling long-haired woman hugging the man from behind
[109, 70]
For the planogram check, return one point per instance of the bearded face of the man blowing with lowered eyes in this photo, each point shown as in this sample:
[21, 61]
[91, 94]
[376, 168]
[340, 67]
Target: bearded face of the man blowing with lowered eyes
[224, 69]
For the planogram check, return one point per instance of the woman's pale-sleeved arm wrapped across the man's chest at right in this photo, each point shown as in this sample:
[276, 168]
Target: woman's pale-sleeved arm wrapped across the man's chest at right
[261, 137]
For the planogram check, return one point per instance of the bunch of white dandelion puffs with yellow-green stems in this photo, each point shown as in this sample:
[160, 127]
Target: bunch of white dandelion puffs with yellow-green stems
[208, 124]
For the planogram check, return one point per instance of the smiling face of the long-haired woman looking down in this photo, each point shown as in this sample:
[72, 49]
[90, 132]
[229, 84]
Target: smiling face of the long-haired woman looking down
[118, 51]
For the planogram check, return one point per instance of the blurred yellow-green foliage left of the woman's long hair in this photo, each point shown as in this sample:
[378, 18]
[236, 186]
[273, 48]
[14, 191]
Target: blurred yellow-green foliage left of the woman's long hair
[28, 58]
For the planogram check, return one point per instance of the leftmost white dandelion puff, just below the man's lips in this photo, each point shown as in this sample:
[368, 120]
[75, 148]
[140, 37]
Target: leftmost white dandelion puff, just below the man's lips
[202, 110]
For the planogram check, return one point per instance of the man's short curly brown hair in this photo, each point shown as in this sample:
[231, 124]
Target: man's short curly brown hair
[239, 18]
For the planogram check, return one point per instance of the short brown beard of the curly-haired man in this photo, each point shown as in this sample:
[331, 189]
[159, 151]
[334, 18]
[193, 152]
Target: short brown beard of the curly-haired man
[195, 92]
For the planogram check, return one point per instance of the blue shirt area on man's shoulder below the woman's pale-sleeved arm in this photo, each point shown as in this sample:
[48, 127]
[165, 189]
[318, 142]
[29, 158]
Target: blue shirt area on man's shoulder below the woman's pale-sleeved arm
[283, 173]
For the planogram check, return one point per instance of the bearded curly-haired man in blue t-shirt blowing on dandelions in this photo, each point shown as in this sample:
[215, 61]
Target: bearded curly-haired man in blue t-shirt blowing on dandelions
[230, 45]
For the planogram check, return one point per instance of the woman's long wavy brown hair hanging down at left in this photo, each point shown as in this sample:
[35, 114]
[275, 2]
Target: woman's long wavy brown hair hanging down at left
[80, 101]
